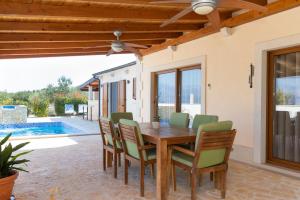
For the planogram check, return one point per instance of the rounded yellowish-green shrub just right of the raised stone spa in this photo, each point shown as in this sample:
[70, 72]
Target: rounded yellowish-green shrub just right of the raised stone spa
[39, 105]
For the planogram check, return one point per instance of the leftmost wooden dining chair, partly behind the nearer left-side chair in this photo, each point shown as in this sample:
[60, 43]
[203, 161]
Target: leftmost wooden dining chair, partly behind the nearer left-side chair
[111, 144]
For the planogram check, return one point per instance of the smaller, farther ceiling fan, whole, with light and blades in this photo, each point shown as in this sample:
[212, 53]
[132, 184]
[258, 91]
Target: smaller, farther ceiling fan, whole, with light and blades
[118, 46]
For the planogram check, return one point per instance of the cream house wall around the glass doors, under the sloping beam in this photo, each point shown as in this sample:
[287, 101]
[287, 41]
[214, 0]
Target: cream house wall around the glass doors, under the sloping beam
[227, 61]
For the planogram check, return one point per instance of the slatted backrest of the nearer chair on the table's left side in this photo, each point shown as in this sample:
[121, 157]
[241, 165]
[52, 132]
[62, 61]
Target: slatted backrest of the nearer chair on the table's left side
[132, 139]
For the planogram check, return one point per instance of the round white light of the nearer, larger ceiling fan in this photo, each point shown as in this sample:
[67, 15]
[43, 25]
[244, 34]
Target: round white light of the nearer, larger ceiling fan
[203, 7]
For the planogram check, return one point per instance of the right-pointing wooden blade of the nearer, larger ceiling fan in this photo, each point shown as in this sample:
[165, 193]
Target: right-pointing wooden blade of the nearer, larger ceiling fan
[240, 4]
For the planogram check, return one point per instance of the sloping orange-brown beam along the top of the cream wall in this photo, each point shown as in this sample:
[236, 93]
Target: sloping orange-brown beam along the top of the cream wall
[273, 8]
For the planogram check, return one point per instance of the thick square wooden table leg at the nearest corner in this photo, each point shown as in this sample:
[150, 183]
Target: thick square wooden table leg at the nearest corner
[162, 171]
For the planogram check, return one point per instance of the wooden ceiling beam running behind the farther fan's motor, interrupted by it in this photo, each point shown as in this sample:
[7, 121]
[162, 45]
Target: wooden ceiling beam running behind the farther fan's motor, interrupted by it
[45, 45]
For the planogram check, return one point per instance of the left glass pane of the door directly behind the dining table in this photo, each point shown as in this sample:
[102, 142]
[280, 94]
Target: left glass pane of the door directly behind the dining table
[166, 95]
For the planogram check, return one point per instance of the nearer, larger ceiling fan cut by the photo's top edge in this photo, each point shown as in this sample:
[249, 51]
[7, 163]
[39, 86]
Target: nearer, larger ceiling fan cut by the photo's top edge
[209, 8]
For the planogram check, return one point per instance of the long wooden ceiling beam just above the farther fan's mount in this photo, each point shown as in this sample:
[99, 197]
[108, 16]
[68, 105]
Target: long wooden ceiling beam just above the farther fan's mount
[36, 27]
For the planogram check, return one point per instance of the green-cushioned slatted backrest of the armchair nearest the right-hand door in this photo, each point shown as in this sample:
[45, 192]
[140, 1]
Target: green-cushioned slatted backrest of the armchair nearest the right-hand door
[213, 144]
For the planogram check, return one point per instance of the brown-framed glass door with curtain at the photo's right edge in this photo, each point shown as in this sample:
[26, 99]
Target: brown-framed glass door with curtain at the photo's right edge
[284, 108]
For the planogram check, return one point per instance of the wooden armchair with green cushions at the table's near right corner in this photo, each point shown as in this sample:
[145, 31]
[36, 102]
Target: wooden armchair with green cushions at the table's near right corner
[213, 147]
